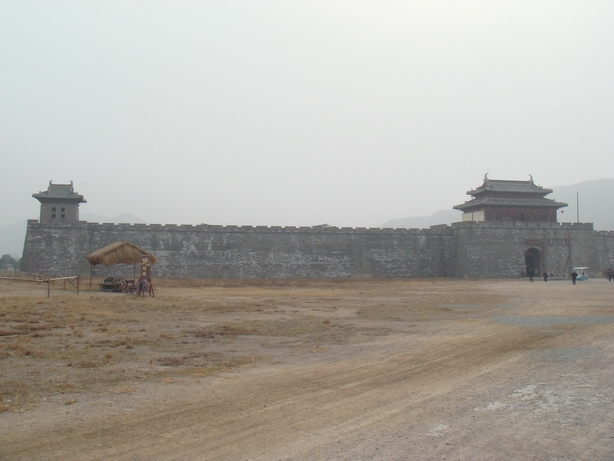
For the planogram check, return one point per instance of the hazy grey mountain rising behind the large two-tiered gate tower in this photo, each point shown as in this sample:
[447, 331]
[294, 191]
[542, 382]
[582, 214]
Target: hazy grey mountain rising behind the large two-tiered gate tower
[594, 198]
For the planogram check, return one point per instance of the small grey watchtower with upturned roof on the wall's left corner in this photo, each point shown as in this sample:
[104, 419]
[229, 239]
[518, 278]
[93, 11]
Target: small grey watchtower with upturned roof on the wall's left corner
[59, 202]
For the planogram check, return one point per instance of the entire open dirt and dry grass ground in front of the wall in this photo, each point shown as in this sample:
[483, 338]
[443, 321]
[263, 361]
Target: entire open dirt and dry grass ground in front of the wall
[309, 370]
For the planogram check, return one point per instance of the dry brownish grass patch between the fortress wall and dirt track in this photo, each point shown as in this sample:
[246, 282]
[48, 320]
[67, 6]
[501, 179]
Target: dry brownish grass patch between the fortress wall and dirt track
[109, 342]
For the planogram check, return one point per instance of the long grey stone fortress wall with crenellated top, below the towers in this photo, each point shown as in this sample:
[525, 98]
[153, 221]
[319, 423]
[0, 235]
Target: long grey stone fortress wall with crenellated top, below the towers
[464, 249]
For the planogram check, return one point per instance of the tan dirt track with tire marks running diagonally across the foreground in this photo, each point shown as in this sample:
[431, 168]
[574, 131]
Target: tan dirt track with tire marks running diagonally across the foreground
[334, 397]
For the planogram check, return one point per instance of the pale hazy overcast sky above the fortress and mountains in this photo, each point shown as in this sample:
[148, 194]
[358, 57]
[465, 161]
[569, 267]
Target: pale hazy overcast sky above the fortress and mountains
[349, 113]
